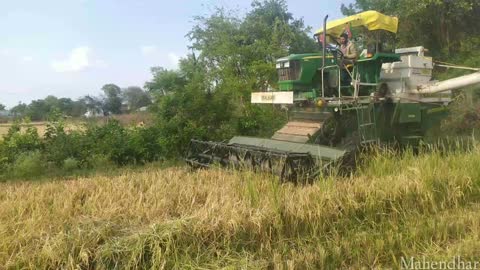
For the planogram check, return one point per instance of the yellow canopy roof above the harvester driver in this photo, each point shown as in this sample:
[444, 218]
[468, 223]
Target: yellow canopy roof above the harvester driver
[371, 19]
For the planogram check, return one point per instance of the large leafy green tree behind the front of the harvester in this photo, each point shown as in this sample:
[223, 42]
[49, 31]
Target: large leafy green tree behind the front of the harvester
[208, 98]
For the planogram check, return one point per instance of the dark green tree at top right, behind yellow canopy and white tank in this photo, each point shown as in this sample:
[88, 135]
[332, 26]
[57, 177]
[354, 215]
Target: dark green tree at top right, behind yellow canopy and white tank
[444, 27]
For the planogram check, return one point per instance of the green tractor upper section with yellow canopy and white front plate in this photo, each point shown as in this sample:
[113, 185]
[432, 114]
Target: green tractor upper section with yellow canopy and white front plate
[321, 76]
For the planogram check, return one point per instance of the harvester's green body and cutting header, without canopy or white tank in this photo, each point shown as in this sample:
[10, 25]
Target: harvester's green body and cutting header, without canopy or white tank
[340, 116]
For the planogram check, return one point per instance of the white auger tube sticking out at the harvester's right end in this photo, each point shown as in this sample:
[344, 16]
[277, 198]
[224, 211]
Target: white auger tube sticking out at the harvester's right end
[451, 84]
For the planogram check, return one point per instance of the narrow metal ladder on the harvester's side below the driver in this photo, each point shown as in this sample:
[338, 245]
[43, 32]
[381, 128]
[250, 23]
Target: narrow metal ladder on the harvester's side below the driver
[367, 123]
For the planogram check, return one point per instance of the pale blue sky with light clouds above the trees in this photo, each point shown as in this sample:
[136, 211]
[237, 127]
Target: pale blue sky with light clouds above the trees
[71, 48]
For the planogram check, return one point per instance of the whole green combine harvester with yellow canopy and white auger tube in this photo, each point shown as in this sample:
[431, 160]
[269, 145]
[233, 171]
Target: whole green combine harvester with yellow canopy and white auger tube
[333, 109]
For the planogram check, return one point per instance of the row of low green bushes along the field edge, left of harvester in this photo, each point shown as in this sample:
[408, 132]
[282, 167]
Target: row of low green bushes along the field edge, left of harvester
[25, 154]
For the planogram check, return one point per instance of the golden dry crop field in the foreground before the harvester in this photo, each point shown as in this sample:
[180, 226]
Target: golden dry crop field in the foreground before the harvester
[172, 218]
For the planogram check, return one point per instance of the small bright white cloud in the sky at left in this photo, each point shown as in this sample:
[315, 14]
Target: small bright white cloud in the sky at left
[79, 59]
